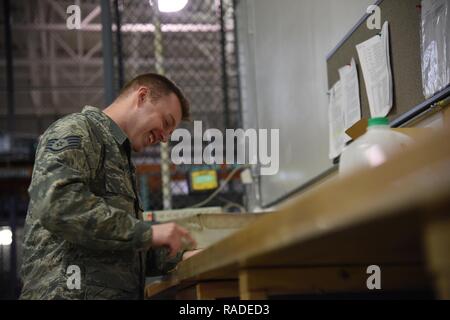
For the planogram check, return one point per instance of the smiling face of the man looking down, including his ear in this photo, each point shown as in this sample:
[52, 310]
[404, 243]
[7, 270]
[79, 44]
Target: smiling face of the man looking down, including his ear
[154, 121]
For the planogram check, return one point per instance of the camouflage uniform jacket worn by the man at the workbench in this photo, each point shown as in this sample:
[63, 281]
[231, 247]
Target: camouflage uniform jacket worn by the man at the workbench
[84, 211]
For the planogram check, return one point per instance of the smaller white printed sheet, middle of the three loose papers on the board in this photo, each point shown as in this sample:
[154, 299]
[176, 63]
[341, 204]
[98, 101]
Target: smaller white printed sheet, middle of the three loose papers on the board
[350, 94]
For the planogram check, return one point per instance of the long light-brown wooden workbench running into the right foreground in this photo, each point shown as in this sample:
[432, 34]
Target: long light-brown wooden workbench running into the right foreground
[396, 217]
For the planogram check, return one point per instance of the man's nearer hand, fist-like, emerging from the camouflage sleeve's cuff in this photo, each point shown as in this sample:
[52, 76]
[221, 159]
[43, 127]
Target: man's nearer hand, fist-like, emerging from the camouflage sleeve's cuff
[172, 236]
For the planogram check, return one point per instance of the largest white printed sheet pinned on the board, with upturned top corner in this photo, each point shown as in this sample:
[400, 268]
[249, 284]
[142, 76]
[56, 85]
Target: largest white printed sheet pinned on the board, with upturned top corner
[376, 67]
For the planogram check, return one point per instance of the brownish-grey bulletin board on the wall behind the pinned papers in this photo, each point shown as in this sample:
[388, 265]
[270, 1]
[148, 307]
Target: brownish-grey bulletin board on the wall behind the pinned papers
[404, 17]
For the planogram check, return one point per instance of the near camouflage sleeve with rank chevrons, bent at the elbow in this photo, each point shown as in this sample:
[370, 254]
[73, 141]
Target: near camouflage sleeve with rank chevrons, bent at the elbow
[60, 195]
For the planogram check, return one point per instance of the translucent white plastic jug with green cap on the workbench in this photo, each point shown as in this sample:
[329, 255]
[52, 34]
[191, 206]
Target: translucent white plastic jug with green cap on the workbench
[372, 149]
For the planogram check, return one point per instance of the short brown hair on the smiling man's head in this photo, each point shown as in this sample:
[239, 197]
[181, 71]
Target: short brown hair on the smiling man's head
[160, 86]
